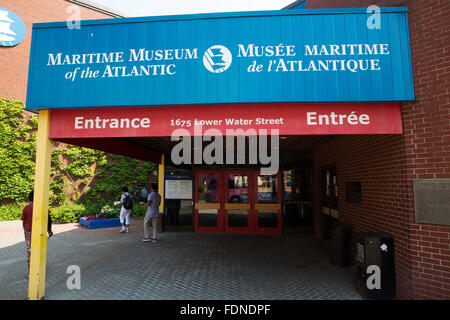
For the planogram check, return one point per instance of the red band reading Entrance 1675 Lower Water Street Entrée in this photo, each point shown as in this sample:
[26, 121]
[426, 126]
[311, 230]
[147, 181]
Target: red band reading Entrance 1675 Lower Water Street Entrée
[281, 119]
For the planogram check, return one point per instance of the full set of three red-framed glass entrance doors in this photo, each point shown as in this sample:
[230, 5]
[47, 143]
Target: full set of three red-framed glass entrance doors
[237, 201]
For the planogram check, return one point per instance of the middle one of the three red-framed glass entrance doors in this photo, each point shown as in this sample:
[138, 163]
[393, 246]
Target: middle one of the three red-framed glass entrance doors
[238, 199]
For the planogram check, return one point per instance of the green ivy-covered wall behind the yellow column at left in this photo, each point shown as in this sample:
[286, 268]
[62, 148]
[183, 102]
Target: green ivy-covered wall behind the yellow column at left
[77, 175]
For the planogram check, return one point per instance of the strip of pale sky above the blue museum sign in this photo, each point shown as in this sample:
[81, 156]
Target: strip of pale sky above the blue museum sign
[171, 7]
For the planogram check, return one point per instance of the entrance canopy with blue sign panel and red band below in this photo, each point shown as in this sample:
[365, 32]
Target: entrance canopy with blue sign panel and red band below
[112, 83]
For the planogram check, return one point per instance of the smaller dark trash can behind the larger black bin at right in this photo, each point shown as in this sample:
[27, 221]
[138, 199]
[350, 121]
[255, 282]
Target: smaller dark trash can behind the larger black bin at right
[340, 234]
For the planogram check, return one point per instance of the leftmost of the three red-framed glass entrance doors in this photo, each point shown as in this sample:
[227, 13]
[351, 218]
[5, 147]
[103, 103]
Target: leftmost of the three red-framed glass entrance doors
[208, 211]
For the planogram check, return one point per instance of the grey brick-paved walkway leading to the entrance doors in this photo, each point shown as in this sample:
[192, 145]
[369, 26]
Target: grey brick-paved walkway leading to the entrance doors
[180, 266]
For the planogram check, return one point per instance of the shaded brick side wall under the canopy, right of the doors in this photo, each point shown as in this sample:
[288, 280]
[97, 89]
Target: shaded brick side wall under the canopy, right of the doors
[378, 162]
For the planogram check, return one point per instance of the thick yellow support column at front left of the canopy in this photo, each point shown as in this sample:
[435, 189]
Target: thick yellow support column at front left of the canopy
[36, 285]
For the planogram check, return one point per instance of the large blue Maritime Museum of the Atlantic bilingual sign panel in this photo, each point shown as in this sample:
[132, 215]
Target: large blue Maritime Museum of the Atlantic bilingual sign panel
[320, 55]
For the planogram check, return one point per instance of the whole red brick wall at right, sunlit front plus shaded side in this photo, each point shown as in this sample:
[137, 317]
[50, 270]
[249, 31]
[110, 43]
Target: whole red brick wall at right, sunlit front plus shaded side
[387, 165]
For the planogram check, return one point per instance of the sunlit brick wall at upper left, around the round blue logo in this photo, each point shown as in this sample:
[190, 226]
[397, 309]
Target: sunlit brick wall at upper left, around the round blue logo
[14, 60]
